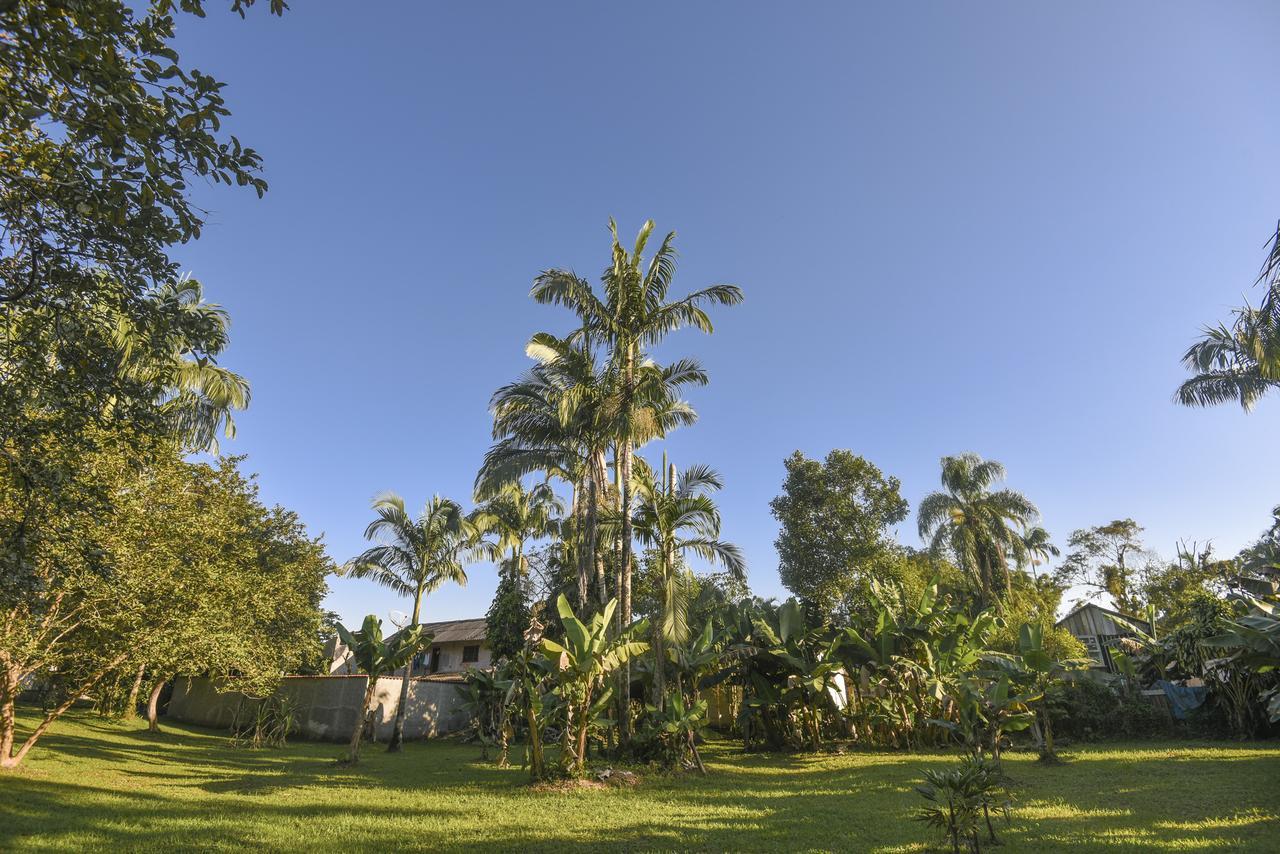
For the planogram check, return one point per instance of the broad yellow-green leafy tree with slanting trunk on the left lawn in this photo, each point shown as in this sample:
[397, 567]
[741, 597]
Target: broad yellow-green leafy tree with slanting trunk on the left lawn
[188, 574]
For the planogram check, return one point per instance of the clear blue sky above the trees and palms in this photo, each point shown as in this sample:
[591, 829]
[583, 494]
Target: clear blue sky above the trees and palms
[986, 227]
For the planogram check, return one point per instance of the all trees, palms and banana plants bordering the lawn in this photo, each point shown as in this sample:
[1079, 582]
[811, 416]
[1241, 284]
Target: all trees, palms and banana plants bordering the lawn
[623, 623]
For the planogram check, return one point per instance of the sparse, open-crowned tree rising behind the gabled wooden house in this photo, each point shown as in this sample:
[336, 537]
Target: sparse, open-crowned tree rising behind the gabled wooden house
[1108, 559]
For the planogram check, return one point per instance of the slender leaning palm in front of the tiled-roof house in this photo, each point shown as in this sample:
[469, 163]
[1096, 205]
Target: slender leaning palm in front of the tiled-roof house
[414, 558]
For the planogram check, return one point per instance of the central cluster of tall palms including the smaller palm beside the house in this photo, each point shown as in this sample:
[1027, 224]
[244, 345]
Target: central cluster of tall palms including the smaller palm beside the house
[578, 418]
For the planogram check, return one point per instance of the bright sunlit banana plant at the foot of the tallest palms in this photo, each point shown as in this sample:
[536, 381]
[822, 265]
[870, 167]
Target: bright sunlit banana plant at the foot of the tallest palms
[582, 664]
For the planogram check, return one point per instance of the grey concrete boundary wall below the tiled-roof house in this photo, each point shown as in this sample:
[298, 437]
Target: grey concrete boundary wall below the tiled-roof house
[330, 706]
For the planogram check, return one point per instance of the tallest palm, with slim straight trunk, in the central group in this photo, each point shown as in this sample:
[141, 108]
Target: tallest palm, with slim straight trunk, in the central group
[633, 314]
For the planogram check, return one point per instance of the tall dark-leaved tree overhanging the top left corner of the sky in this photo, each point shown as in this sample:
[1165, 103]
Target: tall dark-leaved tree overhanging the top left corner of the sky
[103, 134]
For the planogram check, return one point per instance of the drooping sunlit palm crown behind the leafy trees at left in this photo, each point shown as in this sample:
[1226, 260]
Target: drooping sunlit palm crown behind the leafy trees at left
[199, 395]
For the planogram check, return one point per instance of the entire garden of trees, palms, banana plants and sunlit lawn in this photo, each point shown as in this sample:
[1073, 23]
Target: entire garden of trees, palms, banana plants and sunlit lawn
[908, 692]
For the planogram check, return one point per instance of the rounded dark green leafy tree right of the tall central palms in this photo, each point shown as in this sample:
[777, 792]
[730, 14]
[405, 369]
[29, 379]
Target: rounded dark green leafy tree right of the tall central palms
[835, 518]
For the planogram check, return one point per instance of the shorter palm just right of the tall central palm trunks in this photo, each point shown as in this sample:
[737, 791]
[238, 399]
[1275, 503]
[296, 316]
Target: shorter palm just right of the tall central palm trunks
[676, 517]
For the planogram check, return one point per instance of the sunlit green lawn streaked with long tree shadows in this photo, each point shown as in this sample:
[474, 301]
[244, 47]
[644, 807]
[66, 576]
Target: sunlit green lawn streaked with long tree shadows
[95, 786]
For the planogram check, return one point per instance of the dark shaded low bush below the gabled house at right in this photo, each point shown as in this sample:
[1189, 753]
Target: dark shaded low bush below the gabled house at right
[1089, 710]
